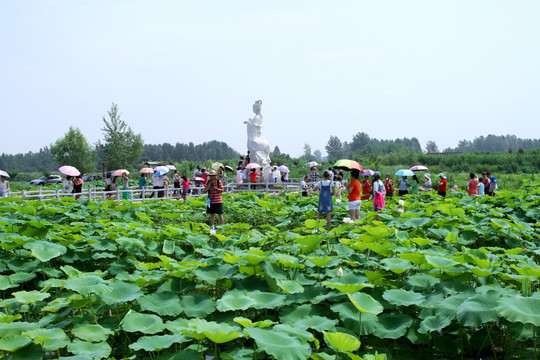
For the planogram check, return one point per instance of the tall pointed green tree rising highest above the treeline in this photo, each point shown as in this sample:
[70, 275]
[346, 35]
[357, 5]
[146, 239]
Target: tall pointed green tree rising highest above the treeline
[122, 146]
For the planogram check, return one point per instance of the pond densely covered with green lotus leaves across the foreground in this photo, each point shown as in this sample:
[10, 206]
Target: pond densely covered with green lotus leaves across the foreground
[430, 278]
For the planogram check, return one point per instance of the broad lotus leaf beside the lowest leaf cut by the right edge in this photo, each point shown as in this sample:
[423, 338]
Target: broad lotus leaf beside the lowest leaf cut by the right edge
[478, 309]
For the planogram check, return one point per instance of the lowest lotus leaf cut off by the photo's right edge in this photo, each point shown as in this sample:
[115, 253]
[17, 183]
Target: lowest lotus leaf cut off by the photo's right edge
[520, 309]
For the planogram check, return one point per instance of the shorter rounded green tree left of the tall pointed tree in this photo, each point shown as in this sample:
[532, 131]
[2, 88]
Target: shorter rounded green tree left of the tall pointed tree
[74, 150]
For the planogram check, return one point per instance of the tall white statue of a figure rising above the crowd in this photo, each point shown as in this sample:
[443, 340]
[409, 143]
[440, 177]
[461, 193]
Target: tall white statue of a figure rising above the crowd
[258, 147]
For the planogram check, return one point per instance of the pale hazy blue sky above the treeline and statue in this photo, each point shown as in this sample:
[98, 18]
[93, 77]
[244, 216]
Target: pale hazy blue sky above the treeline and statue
[190, 71]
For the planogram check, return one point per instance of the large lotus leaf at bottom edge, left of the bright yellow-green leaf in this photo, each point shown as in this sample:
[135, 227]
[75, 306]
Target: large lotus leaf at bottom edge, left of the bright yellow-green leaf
[279, 344]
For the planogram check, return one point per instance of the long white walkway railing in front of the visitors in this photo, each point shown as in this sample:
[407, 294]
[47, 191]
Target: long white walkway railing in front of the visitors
[147, 194]
